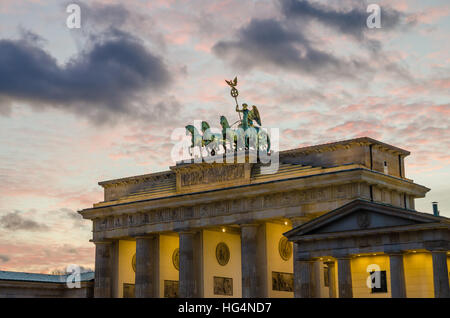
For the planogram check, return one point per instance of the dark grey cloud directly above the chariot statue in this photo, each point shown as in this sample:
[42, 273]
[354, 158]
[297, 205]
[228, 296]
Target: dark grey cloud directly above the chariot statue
[270, 43]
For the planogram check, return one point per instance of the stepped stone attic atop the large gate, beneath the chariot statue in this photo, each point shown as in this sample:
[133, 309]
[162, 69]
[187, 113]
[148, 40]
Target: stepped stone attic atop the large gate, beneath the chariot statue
[192, 177]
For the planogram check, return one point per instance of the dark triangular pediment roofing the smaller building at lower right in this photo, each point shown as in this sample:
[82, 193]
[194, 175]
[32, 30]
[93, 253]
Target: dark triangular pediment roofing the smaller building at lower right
[363, 215]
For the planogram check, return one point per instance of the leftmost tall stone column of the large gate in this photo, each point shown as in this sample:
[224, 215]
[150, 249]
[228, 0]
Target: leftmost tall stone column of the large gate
[103, 270]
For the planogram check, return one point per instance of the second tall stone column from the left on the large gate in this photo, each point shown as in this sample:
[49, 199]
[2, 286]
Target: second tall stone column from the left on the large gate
[147, 267]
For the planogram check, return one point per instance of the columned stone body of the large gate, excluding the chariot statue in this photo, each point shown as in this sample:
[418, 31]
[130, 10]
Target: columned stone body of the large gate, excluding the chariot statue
[235, 199]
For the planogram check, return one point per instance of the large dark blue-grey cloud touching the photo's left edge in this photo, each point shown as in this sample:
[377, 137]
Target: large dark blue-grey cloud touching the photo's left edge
[102, 82]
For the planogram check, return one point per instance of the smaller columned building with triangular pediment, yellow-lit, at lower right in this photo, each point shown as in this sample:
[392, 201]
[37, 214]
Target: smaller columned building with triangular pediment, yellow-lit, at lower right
[361, 229]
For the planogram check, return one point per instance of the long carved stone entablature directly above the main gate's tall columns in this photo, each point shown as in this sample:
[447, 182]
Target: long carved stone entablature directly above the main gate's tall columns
[308, 196]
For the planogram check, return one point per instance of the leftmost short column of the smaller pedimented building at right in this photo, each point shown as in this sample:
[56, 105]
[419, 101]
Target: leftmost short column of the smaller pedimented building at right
[304, 278]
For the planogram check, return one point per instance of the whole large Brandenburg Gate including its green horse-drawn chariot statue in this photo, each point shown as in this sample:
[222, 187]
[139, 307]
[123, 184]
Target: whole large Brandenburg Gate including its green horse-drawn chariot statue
[215, 229]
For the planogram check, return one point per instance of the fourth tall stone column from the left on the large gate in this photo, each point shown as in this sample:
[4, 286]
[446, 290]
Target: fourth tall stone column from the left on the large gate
[253, 262]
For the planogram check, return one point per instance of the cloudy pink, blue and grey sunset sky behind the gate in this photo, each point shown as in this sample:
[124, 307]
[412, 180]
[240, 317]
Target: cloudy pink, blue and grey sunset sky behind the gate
[78, 106]
